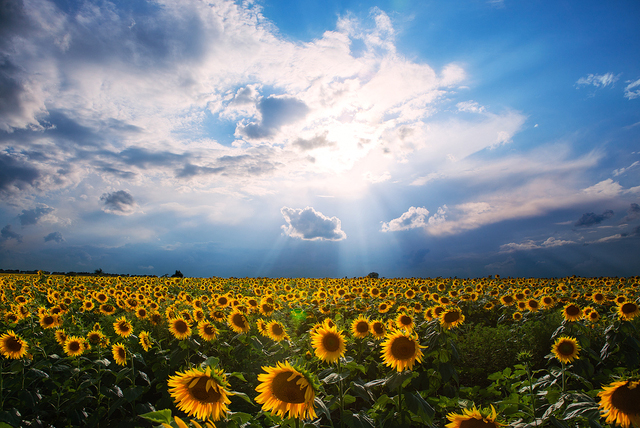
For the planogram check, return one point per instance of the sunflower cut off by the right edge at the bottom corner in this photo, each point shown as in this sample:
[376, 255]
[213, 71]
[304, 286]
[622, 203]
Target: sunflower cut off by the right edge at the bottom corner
[620, 403]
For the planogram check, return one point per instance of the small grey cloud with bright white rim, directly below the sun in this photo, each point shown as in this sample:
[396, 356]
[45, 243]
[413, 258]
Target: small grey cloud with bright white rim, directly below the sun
[311, 225]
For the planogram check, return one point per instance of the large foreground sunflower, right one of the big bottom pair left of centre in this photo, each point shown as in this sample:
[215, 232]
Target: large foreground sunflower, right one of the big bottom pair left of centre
[287, 391]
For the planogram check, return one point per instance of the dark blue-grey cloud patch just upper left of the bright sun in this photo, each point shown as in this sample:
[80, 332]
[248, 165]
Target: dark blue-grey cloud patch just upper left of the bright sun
[275, 113]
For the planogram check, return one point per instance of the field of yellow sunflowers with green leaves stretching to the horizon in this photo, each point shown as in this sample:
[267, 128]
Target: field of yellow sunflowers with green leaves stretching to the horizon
[120, 351]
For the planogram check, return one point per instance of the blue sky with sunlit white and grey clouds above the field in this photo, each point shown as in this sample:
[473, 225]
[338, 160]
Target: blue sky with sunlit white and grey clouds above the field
[320, 138]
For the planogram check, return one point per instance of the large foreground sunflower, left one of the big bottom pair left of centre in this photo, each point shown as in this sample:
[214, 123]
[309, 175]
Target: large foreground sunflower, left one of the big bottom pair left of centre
[202, 393]
